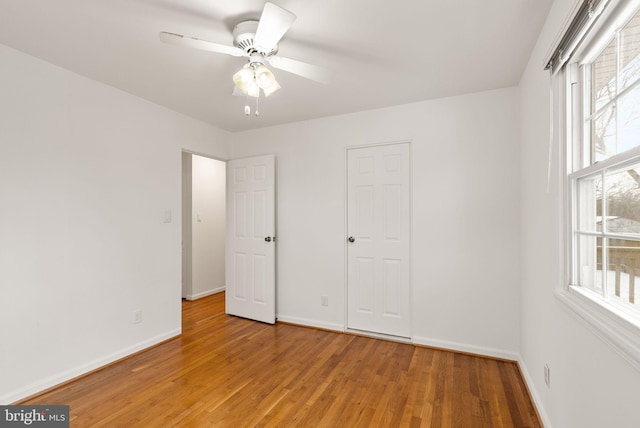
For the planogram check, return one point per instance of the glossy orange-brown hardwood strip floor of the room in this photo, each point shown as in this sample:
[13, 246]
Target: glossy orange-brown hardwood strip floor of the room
[231, 372]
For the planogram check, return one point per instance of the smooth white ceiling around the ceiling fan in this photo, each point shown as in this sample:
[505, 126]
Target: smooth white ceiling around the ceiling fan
[383, 53]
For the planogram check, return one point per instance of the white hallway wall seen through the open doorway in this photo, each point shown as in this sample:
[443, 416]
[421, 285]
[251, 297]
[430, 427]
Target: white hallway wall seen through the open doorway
[207, 226]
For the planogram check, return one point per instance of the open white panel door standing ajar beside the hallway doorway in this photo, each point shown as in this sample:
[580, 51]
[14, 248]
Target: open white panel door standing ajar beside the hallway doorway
[250, 253]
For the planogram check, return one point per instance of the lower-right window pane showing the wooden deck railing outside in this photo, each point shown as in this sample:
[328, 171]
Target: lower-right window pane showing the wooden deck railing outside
[623, 270]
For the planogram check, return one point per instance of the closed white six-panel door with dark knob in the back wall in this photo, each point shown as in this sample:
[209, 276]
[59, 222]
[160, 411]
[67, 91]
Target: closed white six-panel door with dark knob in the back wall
[379, 239]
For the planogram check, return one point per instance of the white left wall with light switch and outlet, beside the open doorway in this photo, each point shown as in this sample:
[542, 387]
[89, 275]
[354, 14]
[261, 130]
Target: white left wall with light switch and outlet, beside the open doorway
[86, 173]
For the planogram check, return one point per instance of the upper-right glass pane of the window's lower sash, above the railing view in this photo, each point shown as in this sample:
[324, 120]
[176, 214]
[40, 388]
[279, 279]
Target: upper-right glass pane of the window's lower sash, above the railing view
[622, 188]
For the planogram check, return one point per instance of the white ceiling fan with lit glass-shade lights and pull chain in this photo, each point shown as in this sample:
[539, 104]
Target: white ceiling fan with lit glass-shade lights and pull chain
[258, 41]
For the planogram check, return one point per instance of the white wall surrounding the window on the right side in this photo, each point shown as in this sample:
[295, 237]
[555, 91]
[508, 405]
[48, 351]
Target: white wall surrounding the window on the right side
[591, 386]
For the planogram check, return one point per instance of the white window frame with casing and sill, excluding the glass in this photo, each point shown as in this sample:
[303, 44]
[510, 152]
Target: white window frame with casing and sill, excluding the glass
[614, 324]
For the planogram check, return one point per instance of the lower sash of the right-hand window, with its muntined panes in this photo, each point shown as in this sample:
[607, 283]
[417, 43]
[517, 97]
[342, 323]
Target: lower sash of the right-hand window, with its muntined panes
[607, 236]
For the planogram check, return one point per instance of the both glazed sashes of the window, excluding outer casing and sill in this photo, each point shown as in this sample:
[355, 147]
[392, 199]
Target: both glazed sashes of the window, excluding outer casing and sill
[606, 172]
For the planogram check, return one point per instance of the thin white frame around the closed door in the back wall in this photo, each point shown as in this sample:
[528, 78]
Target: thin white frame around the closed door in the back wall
[346, 328]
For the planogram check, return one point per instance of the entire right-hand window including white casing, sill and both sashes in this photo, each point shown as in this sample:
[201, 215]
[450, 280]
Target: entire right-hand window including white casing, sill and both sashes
[599, 60]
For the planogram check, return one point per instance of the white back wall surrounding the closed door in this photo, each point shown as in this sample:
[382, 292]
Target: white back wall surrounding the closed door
[465, 215]
